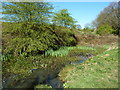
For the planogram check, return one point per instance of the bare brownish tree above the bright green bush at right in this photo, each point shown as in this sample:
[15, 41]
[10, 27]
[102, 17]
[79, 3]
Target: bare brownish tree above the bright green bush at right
[110, 16]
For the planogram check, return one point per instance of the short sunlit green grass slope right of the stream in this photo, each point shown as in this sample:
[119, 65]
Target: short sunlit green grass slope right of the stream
[99, 72]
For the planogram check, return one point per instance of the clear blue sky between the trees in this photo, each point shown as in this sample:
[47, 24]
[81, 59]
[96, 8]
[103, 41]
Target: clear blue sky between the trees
[83, 12]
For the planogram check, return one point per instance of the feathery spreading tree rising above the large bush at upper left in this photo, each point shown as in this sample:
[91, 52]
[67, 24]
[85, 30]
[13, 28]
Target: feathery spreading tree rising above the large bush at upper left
[37, 12]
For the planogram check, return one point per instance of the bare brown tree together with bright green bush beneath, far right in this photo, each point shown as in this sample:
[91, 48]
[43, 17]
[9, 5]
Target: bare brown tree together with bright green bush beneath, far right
[107, 21]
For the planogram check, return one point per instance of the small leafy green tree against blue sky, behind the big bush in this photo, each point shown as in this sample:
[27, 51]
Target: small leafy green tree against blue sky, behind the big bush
[63, 18]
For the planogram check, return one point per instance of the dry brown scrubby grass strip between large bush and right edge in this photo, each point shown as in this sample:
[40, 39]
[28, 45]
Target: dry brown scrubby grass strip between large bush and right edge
[93, 39]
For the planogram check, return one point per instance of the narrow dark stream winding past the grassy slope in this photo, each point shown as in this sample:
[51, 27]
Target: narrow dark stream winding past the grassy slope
[38, 77]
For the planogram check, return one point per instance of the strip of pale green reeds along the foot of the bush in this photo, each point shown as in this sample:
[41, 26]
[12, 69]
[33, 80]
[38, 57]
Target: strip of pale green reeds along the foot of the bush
[65, 51]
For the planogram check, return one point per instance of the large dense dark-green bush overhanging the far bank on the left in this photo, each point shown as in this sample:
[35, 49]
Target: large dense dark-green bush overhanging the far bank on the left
[30, 39]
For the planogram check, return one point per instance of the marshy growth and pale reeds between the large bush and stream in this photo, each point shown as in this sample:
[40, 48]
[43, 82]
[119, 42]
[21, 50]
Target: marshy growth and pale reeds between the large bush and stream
[21, 65]
